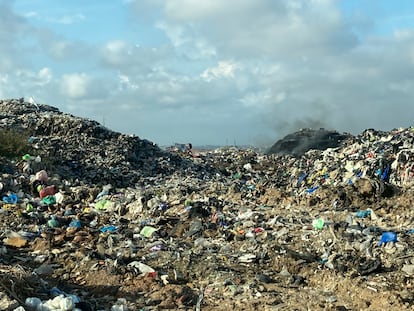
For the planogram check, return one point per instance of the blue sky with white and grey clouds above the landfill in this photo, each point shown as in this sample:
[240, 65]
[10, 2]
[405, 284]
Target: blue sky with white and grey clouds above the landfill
[213, 72]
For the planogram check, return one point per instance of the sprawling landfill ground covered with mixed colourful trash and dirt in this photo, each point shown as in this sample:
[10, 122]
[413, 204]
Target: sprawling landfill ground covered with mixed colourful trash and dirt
[92, 219]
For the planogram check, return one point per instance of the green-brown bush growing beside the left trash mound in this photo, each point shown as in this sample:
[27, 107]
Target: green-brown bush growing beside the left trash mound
[13, 143]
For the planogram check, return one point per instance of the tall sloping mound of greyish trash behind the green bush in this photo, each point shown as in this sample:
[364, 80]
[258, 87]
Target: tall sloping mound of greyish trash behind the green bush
[83, 149]
